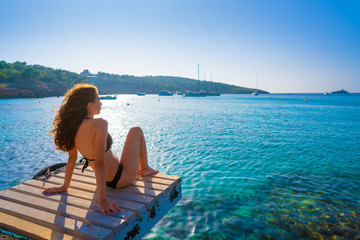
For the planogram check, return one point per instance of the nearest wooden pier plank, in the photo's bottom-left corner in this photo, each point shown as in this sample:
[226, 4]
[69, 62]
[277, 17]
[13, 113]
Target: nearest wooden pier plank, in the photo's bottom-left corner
[30, 230]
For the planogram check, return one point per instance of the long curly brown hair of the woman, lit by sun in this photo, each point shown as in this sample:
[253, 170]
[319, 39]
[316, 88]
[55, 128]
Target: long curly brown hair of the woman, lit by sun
[72, 112]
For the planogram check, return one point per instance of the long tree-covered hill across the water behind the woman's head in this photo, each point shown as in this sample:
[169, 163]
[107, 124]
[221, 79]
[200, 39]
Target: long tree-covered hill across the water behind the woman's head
[18, 80]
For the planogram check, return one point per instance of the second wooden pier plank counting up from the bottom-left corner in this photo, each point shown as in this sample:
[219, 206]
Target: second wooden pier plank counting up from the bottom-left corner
[67, 225]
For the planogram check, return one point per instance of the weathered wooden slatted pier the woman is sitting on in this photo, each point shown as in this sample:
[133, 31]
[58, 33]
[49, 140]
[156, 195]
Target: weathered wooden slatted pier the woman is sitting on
[74, 214]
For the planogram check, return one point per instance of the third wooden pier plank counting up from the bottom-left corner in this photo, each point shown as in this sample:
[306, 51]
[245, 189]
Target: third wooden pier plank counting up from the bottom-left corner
[94, 218]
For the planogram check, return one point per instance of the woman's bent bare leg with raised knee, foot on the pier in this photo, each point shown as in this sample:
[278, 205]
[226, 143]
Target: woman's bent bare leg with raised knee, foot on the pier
[134, 157]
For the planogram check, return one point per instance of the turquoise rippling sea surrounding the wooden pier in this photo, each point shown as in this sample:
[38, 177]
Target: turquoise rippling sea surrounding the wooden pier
[253, 167]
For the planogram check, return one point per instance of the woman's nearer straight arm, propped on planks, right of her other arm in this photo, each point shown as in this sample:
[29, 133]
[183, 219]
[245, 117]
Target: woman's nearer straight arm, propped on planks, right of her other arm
[100, 171]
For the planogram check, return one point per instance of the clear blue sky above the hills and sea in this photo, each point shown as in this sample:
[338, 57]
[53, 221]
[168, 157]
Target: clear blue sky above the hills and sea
[293, 45]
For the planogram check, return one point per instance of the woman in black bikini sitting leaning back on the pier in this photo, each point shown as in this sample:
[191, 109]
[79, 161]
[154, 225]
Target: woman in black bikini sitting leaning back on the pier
[75, 129]
